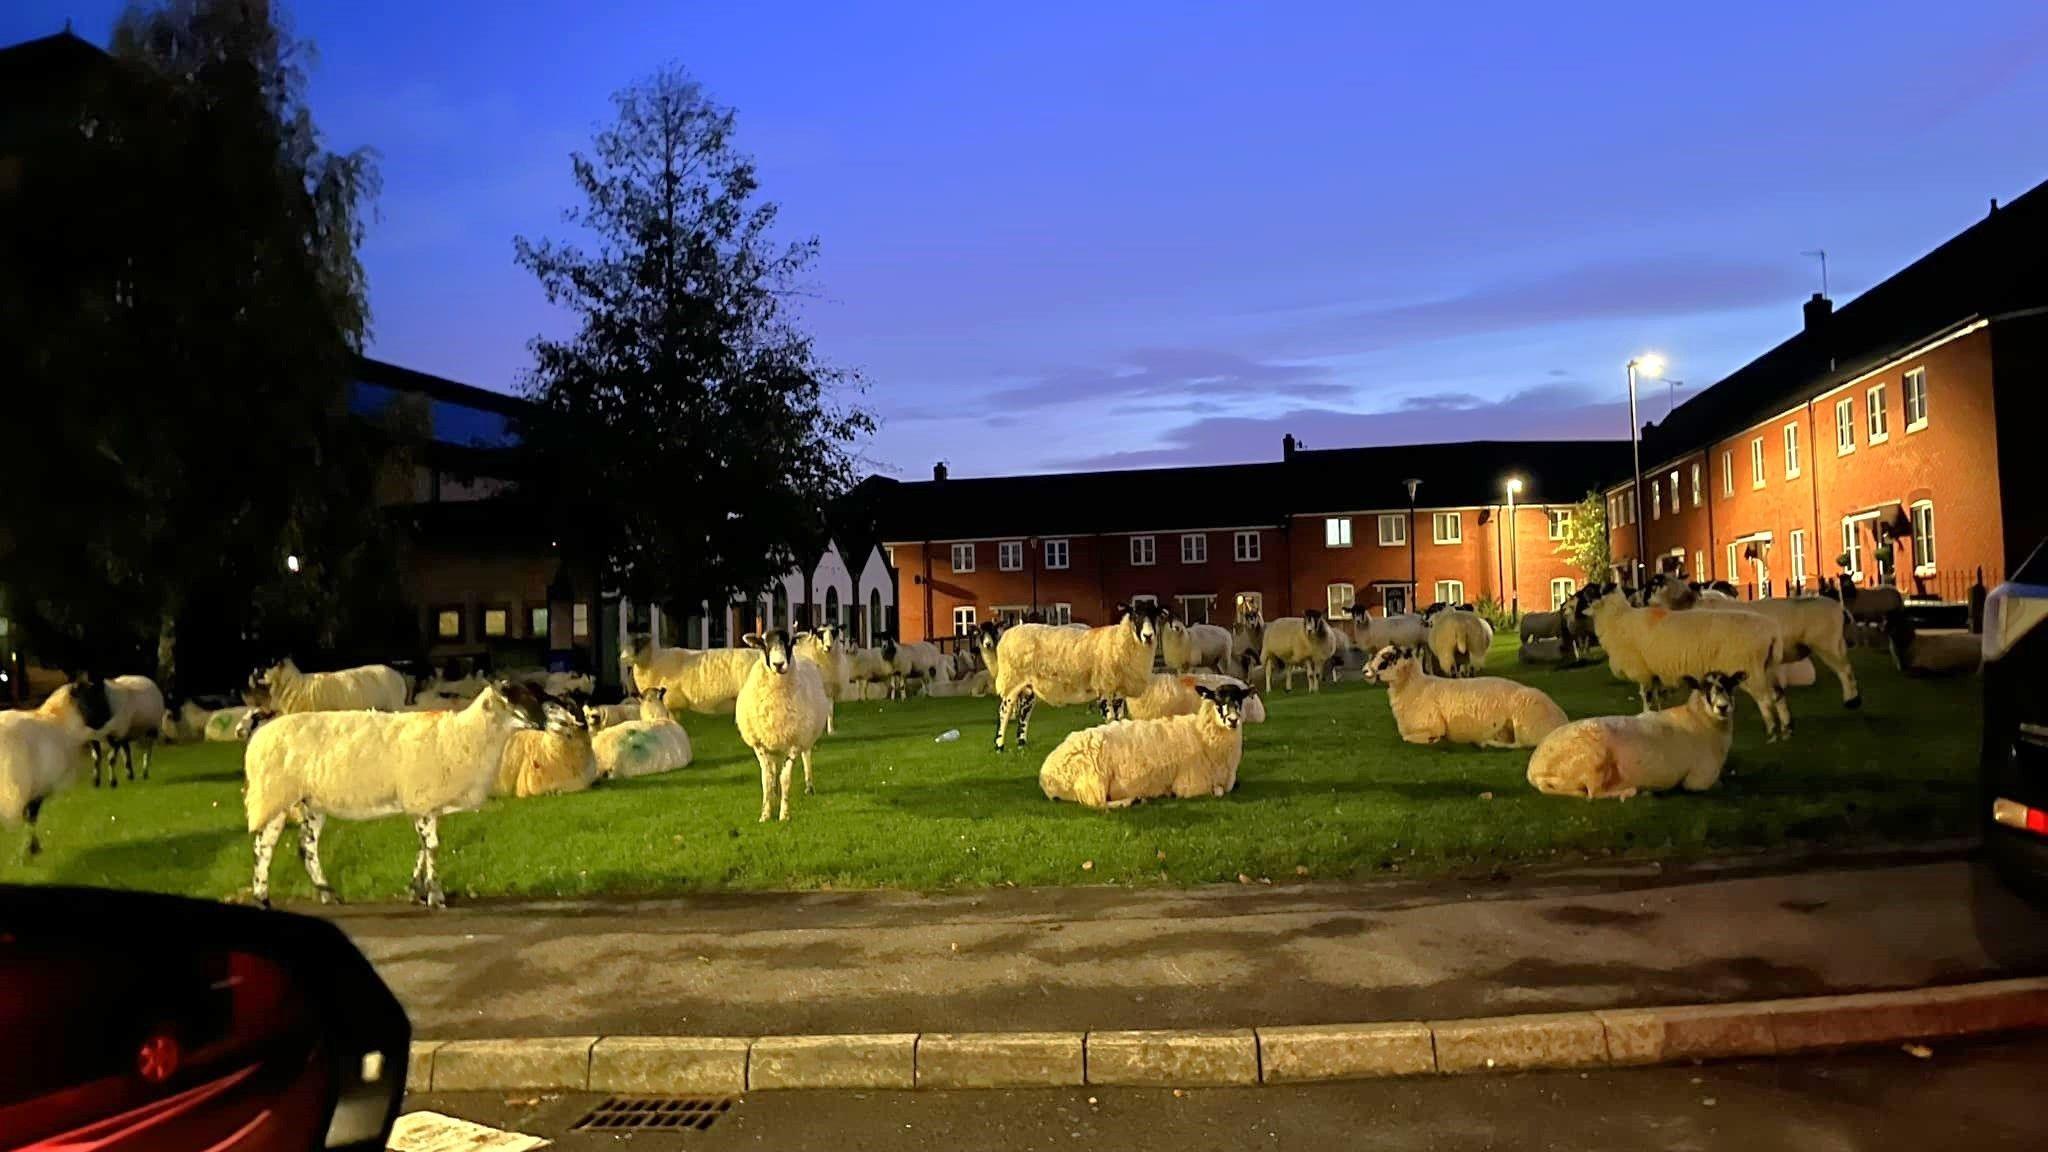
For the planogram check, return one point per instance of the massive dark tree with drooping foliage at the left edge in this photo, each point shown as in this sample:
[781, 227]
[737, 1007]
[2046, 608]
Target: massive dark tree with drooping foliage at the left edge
[181, 282]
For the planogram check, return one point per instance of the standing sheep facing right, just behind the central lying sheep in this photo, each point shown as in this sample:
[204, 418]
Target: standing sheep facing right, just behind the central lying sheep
[1064, 667]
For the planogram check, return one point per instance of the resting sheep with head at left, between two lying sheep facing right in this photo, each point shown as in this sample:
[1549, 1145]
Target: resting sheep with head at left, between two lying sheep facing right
[1492, 712]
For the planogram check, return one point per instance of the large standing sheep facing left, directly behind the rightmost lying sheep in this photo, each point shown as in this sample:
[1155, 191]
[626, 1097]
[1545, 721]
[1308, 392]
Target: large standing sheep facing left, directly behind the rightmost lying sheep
[1658, 647]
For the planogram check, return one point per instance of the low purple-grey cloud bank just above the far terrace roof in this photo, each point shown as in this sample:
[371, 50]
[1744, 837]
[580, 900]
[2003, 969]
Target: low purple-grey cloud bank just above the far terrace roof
[1537, 413]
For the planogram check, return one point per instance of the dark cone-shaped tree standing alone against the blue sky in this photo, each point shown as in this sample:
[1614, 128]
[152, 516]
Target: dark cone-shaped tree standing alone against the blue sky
[693, 431]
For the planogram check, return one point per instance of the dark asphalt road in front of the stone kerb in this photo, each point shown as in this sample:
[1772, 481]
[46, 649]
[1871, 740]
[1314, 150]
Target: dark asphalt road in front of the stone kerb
[1981, 1096]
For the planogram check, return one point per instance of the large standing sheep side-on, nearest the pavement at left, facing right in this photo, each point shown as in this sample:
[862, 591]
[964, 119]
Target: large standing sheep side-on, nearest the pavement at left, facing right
[359, 766]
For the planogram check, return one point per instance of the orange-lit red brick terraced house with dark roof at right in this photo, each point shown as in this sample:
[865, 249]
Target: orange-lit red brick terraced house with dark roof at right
[1887, 440]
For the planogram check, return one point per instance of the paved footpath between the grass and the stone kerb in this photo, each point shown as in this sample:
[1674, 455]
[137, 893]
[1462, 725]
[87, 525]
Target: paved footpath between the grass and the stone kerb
[1099, 958]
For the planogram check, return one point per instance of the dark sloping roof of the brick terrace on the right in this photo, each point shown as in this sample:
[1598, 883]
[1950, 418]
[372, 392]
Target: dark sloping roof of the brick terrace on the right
[1994, 268]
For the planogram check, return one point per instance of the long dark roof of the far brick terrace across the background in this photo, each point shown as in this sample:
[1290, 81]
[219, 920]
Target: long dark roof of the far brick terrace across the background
[1242, 495]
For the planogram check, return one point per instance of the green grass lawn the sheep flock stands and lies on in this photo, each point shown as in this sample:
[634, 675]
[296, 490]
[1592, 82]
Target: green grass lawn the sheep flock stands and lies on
[1326, 786]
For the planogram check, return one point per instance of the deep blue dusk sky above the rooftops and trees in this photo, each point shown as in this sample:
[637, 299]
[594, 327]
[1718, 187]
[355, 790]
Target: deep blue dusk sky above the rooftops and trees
[1111, 235]
